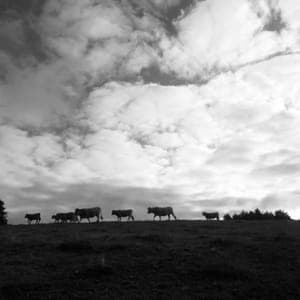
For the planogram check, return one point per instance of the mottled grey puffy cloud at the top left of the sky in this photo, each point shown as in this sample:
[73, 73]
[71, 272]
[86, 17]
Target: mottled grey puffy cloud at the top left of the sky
[104, 41]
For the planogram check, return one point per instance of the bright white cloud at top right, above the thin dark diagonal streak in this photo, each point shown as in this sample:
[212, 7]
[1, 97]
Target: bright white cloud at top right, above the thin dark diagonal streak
[254, 30]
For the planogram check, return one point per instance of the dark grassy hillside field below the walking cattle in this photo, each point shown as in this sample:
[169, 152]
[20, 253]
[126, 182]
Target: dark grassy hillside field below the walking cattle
[147, 260]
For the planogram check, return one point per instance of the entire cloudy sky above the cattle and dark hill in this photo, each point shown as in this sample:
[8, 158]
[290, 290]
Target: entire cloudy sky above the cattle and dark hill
[136, 103]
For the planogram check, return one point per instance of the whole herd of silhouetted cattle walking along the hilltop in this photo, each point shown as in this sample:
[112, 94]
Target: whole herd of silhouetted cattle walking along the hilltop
[96, 212]
